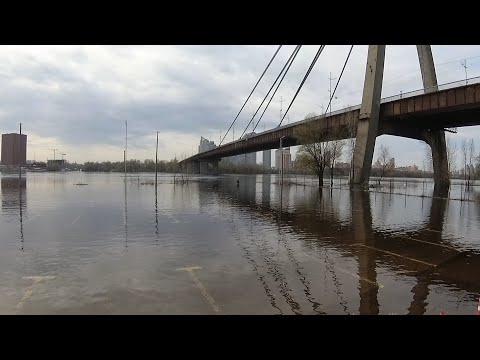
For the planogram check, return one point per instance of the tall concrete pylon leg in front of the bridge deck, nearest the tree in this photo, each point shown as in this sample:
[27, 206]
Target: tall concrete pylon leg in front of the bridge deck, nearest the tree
[369, 112]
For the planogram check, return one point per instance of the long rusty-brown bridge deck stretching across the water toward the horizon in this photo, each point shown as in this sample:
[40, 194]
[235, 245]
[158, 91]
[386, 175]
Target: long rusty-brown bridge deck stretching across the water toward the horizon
[451, 107]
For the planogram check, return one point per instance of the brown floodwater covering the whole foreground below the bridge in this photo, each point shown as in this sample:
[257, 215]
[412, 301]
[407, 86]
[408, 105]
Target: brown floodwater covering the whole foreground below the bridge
[212, 247]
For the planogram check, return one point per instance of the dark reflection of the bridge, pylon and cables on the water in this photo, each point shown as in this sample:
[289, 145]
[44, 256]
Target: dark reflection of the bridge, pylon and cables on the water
[420, 252]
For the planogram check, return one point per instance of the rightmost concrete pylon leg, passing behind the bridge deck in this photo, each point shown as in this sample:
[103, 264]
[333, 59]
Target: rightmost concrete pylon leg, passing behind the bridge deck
[434, 138]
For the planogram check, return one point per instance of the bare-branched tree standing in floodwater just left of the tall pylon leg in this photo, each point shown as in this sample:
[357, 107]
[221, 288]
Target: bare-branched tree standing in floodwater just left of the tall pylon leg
[314, 153]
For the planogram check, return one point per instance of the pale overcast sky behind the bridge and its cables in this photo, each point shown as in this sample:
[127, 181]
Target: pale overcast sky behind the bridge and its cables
[77, 98]
